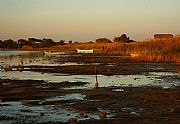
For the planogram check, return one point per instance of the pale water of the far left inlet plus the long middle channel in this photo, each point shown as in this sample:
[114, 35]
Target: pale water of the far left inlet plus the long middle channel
[37, 58]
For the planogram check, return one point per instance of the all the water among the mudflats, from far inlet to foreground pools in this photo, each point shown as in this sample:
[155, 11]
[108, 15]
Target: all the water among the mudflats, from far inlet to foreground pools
[55, 113]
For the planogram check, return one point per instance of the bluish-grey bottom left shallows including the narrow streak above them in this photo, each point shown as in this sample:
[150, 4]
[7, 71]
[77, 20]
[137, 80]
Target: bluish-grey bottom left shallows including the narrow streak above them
[55, 113]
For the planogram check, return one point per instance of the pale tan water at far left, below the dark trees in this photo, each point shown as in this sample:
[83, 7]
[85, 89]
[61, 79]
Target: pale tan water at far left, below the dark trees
[30, 58]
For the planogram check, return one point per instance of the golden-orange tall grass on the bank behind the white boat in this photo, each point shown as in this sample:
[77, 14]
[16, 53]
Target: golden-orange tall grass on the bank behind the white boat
[147, 51]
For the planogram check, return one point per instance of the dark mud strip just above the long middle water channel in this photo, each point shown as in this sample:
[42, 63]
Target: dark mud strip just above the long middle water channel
[106, 69]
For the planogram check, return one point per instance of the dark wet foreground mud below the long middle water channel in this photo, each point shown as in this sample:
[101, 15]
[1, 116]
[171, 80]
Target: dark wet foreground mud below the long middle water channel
[132, 105]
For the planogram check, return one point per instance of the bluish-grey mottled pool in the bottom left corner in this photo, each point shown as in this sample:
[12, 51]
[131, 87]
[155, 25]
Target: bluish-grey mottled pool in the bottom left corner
[31, 114]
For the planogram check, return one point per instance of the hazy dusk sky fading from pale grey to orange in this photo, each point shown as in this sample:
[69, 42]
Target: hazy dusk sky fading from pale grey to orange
[87, 20]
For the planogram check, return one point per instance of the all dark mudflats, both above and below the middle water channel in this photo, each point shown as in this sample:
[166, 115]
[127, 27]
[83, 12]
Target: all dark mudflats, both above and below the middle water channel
[127, 105]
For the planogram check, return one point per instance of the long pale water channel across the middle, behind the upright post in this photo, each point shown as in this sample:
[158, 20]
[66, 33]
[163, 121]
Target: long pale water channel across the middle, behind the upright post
[104, 81]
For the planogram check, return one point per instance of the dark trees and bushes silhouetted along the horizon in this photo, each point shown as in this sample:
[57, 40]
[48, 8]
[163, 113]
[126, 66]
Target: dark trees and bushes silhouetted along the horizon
[42, 43]
